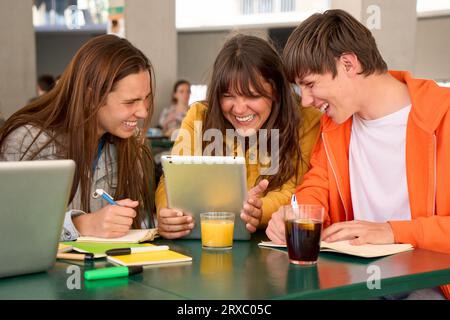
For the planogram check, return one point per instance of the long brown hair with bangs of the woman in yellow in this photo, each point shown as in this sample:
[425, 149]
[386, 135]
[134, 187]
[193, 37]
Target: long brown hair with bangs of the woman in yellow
[243, 61]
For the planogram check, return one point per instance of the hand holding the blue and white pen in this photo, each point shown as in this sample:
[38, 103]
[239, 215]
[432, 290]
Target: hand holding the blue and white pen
[112, 221]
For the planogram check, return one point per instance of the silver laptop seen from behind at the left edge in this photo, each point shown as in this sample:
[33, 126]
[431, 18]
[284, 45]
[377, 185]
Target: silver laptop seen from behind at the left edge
[33, 199]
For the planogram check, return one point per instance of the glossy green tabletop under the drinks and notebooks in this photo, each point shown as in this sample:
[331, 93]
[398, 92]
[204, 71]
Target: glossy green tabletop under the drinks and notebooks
[245, 272]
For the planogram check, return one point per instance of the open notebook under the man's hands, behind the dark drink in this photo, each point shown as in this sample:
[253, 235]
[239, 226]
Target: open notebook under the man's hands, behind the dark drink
[365, 251]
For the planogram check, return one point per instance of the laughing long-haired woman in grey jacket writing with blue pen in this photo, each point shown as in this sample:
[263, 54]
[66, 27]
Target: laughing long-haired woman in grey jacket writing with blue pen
[91, 116]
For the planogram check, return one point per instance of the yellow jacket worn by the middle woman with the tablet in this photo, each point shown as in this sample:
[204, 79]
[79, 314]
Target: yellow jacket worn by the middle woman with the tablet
[309, 132]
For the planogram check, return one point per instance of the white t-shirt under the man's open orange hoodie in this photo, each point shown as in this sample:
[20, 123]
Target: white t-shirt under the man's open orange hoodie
[377, 163]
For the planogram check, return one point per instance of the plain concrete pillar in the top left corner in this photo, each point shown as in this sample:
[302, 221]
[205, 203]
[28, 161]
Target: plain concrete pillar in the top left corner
[17, 56]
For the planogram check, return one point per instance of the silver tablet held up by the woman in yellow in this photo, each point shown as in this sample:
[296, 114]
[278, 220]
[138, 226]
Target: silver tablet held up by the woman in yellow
[207, 183]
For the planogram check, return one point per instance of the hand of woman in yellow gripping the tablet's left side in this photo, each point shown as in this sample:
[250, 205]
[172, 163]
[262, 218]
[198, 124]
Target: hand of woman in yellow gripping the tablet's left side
[174, 223]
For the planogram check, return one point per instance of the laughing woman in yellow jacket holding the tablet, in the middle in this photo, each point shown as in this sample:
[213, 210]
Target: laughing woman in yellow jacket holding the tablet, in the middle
[250, 99]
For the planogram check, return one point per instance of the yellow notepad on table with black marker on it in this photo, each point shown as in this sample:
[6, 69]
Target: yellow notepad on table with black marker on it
[149, 258]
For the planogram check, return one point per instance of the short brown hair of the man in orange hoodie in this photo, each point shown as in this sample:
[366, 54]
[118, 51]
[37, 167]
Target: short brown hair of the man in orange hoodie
[317, 42]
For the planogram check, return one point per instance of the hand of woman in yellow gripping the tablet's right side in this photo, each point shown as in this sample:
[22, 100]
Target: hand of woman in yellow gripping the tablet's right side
[251, 212]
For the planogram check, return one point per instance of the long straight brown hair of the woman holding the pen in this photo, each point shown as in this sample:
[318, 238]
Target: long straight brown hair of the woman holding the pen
[68, 114]
